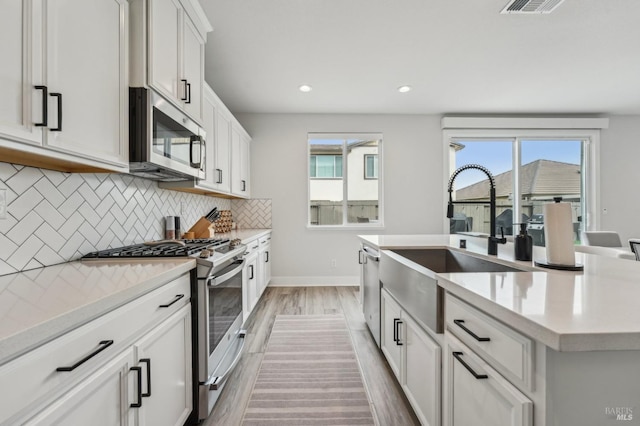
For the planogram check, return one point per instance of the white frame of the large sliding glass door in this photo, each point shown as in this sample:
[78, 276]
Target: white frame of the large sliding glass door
[590, 177]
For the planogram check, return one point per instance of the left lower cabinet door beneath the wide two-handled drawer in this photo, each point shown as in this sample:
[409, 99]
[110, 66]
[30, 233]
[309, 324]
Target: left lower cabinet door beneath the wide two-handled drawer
[103, 398]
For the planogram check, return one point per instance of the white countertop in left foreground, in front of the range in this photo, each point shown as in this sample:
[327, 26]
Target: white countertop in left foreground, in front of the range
[41, 304]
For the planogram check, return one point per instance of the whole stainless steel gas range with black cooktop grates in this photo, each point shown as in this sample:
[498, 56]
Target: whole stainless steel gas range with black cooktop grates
[217, 306]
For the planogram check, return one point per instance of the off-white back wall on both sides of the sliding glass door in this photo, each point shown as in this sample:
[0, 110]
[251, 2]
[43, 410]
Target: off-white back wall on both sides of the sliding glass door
[413, 185]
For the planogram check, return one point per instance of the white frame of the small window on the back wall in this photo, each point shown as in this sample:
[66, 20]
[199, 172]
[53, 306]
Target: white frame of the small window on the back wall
[379, 224]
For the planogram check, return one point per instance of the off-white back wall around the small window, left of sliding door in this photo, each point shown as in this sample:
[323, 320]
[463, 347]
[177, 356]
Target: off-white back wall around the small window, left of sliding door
[412, 180]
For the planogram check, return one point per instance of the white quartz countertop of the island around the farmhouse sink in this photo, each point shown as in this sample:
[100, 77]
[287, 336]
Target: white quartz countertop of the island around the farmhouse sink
[594, 309]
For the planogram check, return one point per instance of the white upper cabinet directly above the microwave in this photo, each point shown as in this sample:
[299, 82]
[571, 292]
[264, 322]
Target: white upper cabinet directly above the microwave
[168, 54]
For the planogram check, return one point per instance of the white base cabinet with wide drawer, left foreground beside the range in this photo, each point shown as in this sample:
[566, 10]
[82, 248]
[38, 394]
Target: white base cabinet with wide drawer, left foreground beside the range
[93, 369]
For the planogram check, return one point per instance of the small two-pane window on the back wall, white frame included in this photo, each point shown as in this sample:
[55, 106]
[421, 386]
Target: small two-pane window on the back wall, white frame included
[344, 180]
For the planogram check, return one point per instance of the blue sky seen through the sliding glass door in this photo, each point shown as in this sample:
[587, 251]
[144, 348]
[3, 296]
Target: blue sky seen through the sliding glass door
[496, 156]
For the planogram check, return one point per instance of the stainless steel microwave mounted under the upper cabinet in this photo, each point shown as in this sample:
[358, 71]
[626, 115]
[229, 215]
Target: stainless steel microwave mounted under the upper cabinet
[164, 144]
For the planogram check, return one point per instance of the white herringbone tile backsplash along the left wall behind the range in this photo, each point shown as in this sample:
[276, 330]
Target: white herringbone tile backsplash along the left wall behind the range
[53, 217]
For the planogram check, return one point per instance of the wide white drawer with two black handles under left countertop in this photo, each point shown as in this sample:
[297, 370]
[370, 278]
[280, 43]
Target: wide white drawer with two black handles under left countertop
[34, 377]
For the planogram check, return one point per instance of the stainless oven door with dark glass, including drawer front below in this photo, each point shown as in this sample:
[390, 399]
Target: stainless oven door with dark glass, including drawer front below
[224, 339]
